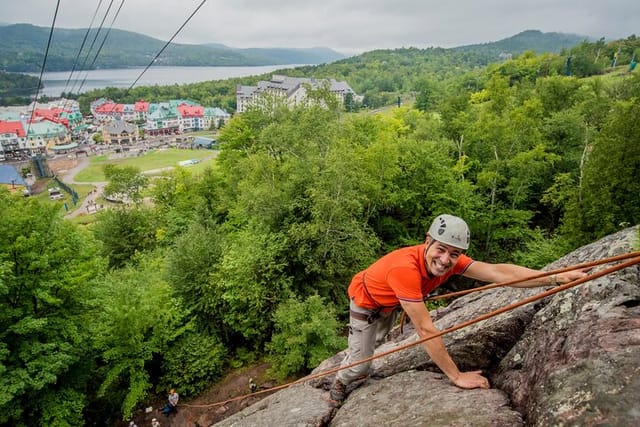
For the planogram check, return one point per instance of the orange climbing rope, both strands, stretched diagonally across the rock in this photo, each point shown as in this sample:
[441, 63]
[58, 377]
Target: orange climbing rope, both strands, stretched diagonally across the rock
[633, 259]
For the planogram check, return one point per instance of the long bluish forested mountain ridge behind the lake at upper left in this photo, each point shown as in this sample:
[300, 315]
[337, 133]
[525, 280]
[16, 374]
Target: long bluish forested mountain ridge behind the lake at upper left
[23, 46]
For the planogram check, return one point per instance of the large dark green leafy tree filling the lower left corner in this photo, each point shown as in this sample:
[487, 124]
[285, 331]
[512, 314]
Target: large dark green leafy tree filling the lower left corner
[47, 273]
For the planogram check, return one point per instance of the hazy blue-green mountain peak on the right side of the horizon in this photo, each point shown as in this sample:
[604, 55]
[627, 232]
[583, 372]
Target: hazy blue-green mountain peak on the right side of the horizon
[533, 40]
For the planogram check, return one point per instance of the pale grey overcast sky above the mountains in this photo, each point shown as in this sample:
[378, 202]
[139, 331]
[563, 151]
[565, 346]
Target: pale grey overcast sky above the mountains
[348, 26]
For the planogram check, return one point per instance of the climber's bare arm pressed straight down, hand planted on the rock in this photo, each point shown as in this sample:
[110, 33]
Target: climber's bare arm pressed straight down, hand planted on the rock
[435, 348]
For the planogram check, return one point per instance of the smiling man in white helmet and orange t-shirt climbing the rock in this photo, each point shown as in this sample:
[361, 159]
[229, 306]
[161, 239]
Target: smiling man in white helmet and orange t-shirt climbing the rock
[403, 279]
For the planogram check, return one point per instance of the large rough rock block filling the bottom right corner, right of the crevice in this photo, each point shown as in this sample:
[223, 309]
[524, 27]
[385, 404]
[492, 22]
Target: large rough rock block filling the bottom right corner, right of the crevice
[578, 362]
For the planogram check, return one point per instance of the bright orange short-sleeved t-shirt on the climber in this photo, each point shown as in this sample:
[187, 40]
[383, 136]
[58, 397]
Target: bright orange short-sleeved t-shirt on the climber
[399, 275]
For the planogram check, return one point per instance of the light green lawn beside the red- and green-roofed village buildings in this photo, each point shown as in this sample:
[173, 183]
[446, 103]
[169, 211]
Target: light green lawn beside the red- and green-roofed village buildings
[152, 160]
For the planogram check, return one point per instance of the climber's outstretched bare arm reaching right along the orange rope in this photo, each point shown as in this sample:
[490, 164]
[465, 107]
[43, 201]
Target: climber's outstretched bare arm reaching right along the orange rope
[497, 273]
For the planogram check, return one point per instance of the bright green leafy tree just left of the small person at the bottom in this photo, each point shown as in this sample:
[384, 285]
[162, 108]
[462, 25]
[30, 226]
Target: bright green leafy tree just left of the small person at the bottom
[135, 325]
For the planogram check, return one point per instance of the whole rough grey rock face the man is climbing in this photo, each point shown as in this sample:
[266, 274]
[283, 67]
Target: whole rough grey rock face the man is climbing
[572, 359]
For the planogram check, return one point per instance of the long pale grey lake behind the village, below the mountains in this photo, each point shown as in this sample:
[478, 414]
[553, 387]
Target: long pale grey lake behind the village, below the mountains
[56, 82]
